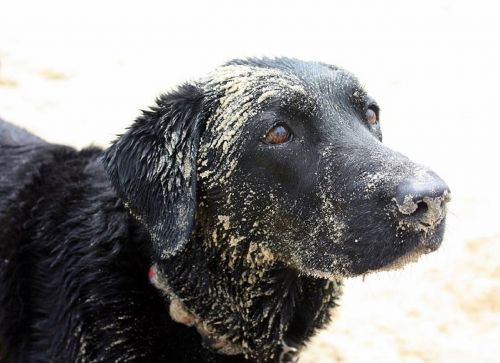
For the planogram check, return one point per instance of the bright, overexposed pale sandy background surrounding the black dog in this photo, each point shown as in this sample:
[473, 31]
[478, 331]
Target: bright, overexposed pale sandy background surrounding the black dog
[78, 72]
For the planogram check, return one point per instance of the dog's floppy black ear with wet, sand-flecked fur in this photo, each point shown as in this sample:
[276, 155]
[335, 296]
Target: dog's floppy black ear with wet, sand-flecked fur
[153, 167]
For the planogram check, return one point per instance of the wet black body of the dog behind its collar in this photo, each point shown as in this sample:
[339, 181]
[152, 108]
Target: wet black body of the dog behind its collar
[73, 266]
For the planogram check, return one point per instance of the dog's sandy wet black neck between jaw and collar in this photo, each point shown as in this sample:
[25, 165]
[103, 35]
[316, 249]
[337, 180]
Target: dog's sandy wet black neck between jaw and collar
[242, 300]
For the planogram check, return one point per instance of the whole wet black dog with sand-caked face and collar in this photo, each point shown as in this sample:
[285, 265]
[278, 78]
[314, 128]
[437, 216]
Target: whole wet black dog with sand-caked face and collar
[248, 196]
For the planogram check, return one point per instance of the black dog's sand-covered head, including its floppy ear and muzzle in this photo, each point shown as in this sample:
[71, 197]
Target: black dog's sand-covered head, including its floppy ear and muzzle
[280, 156]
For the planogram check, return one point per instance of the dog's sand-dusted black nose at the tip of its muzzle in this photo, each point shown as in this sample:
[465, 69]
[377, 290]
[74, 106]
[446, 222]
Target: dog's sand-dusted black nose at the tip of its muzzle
[422, 202]
